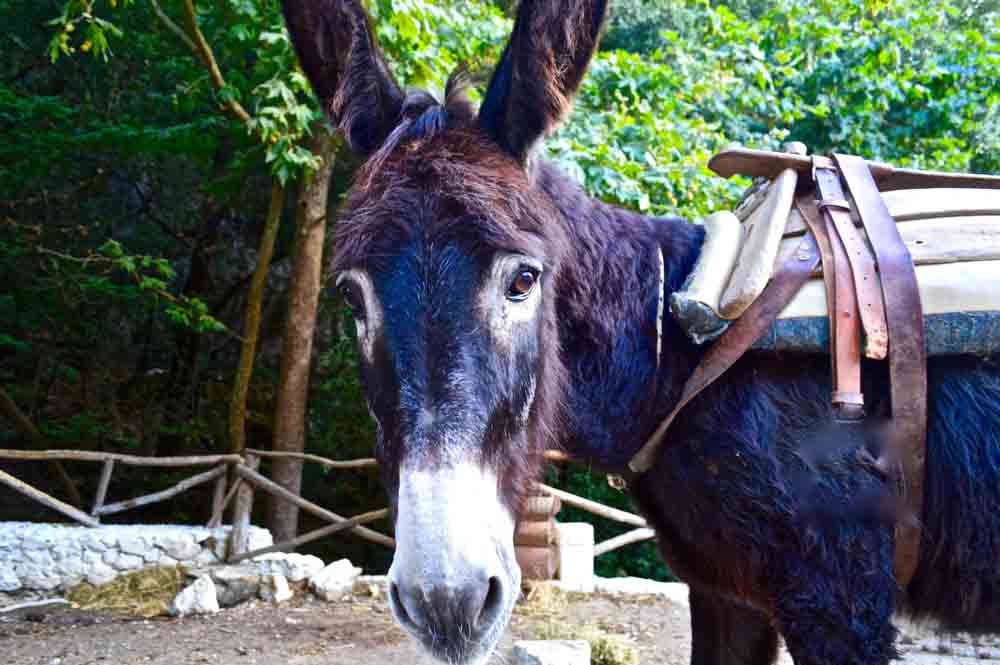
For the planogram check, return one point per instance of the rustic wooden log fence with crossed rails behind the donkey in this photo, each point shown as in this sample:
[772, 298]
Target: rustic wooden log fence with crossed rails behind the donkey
[236, 480]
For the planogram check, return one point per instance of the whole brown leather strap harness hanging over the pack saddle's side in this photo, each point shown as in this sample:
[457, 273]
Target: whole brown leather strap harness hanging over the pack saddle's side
[874, 308]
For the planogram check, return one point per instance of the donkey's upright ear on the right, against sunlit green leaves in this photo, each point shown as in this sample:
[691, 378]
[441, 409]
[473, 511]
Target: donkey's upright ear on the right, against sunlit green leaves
[541, 68]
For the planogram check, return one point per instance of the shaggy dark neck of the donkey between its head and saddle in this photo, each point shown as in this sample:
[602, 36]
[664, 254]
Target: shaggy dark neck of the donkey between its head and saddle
[607, 301]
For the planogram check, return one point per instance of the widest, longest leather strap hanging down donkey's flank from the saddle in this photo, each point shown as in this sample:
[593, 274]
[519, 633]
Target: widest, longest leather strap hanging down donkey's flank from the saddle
[907, 358]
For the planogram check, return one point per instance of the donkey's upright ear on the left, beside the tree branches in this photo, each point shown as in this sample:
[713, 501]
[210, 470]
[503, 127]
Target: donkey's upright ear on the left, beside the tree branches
[341, 58]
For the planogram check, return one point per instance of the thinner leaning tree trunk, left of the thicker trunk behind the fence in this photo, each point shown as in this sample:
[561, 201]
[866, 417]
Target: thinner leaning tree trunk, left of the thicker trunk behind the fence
[251, 325]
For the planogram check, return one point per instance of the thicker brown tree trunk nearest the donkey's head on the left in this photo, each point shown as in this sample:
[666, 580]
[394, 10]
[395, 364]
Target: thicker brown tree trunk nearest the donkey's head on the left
[300, 323]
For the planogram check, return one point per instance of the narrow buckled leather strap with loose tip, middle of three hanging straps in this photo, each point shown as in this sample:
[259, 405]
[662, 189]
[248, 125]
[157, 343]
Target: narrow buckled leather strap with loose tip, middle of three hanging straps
[866, 285]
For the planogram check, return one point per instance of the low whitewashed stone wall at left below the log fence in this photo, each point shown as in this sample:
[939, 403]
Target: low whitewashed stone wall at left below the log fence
[50, 558]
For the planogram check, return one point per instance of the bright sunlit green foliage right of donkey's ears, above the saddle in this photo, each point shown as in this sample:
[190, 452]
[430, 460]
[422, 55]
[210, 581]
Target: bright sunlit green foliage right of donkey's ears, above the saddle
[913, 83]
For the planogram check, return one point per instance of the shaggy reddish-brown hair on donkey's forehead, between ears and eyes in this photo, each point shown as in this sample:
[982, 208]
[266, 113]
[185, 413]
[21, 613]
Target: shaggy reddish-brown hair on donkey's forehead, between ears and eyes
[439, 175]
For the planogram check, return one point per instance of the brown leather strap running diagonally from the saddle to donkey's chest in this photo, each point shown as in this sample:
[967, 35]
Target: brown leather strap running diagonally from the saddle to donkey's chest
[795, 271]
